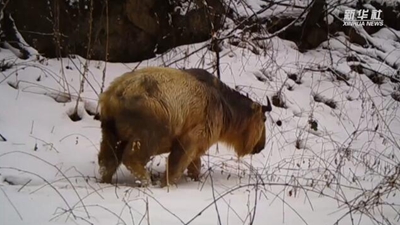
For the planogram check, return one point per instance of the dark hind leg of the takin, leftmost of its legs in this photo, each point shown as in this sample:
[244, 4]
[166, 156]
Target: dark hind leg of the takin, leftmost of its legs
[109, 159]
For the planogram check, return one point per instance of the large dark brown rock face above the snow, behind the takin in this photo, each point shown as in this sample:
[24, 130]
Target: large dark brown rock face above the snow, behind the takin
[136, 30]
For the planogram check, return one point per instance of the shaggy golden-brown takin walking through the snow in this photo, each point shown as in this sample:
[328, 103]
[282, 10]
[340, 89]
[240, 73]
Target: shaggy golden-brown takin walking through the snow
[184, 112]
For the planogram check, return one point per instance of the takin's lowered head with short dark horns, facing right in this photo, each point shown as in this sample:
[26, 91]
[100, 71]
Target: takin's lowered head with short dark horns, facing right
[252, 139]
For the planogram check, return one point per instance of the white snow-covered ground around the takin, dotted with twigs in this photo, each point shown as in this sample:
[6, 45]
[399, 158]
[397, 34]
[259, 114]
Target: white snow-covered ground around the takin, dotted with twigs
[332, 160]
